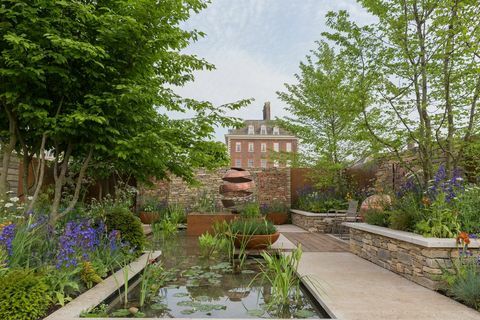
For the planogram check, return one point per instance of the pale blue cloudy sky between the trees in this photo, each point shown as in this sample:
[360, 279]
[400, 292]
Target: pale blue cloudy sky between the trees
[256, 47]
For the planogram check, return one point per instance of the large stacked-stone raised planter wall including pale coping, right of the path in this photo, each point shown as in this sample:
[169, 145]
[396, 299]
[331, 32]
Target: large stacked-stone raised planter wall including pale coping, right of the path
[417, 258]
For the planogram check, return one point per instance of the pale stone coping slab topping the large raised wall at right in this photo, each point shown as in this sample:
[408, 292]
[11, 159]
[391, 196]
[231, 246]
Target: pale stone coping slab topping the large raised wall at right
[409, 236]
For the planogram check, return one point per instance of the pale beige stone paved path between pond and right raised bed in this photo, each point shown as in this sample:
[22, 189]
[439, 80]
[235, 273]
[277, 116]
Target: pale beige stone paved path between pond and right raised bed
[352, 288]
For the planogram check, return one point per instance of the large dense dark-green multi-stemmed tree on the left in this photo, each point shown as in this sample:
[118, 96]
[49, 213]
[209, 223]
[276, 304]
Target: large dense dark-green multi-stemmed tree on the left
[89, 81]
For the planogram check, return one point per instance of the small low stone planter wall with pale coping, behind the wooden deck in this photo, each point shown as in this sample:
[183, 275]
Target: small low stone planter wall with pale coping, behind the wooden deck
[317, 222]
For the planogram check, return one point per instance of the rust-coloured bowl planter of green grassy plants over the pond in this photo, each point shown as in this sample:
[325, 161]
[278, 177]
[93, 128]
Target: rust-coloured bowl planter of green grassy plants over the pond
[253, 233]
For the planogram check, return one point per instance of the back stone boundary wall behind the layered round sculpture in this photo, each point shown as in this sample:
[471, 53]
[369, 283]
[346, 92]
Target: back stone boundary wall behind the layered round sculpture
[271, 185]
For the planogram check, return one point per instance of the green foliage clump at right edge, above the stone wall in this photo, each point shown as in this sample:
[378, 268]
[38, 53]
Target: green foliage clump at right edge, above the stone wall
[467, 203]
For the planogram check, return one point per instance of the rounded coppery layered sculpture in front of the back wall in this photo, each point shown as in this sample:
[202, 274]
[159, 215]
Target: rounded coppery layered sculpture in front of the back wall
[237, 188]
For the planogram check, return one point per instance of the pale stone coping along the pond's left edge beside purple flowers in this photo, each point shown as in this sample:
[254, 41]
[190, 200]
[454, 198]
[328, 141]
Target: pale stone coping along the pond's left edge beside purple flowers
[96, 295]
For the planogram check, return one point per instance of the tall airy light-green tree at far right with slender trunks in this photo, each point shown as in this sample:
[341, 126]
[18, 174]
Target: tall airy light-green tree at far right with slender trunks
[416, 76]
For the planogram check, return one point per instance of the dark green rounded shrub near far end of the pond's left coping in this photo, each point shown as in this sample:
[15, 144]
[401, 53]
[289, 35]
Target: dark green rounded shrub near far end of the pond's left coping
[130, 228]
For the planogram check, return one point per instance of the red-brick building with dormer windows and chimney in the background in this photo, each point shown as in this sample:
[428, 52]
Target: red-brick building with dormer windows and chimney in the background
[261, 144]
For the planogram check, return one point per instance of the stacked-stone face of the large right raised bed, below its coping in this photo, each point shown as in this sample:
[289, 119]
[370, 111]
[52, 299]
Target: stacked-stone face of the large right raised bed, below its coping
[420, 264]
